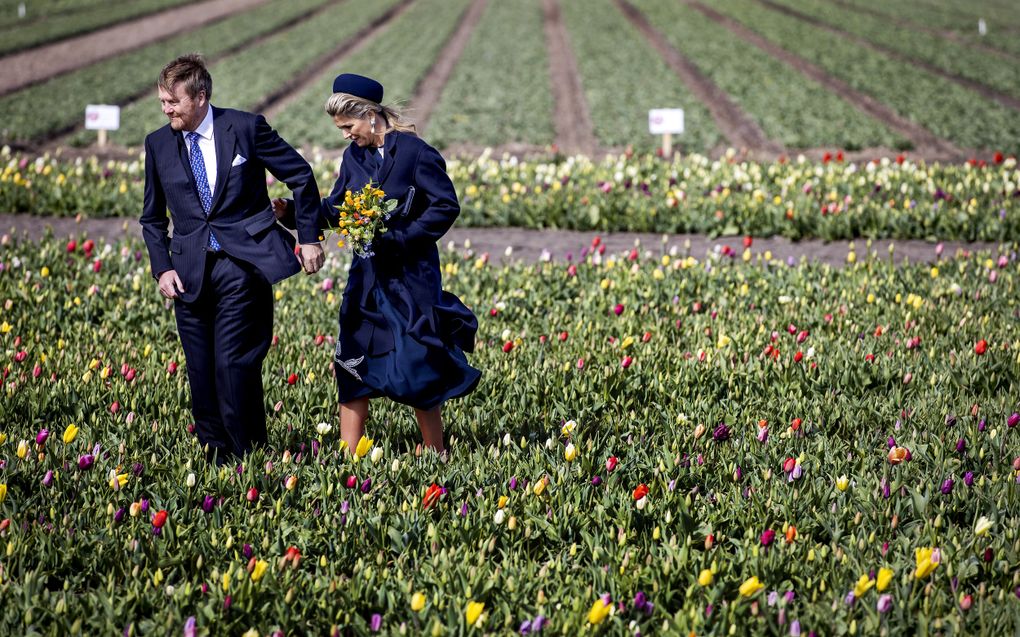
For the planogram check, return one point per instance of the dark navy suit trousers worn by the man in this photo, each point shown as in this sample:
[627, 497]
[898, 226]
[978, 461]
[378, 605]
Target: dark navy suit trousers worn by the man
[226, 335]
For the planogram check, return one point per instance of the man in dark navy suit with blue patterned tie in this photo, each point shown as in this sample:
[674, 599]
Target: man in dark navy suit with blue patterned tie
[209, 167]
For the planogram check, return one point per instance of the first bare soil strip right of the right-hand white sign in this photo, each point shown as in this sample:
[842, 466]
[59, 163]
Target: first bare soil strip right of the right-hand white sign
[734, 124]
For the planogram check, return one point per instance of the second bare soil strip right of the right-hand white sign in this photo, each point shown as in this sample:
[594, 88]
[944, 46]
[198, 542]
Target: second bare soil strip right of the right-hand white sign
[925, 142]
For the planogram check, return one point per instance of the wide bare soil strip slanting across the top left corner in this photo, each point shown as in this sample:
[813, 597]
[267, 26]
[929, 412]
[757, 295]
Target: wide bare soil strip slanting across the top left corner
[32, 67]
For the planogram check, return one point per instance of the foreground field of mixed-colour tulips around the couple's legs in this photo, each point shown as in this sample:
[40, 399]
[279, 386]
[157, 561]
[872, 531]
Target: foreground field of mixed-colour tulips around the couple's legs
[662, 444]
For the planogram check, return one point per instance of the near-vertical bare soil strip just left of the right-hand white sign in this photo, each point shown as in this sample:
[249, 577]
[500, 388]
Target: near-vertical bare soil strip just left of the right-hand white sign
[575, 131]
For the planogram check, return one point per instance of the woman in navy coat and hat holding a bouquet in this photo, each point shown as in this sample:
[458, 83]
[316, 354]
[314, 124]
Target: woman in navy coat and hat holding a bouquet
[401, 336]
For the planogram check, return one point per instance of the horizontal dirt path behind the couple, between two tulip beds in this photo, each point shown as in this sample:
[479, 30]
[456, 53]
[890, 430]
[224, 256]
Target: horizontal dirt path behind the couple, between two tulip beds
[560, 246]
